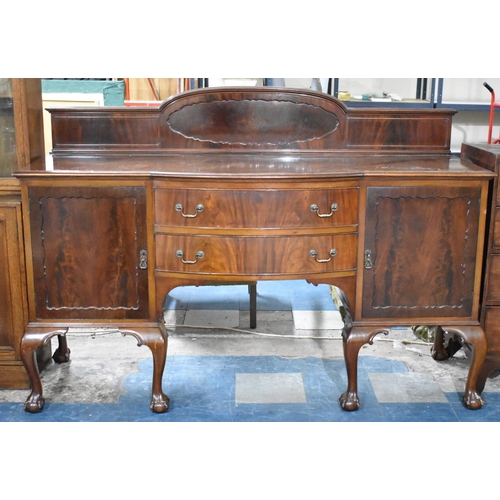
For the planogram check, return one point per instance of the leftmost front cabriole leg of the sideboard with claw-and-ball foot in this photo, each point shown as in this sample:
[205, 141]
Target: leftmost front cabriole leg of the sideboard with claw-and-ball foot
[29, 343]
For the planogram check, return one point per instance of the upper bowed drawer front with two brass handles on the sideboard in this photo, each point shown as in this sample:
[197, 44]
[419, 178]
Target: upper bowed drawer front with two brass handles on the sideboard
[262, 209]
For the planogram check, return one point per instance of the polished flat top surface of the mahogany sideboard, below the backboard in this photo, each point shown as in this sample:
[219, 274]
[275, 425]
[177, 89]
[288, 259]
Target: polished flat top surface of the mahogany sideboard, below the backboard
[262, 166]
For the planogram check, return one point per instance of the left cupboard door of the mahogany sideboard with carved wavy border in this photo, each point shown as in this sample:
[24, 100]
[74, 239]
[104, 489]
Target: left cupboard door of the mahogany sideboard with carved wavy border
[88, 247]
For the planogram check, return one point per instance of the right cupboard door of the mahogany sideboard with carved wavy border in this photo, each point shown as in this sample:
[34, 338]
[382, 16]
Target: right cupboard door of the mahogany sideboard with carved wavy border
[420, 252]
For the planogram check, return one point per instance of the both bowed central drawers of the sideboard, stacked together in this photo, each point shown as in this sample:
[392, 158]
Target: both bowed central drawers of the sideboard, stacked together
[256, 230]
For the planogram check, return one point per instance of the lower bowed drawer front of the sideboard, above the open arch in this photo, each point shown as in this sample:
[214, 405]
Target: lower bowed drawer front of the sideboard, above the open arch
[255, 255]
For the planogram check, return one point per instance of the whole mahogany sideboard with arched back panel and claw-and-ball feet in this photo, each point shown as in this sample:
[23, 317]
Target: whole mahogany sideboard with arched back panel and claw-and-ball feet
[248, 184]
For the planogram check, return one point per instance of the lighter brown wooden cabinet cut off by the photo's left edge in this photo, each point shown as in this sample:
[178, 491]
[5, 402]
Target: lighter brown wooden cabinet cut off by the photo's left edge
[21, 147]
